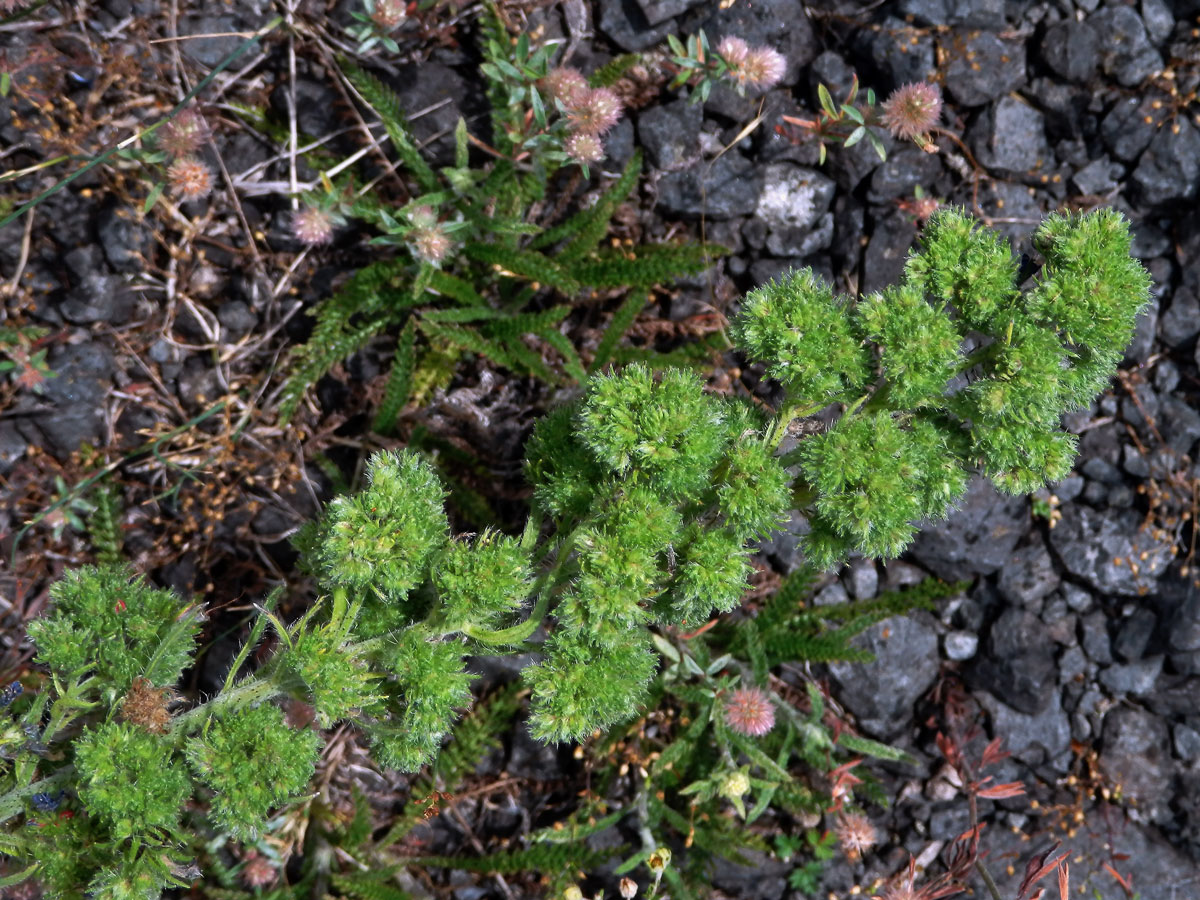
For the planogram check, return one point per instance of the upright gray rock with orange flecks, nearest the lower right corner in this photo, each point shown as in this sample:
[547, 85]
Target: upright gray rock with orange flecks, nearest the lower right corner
[1136, 754]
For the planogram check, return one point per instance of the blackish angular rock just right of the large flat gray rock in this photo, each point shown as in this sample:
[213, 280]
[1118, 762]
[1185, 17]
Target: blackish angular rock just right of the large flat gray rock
[1021, 663]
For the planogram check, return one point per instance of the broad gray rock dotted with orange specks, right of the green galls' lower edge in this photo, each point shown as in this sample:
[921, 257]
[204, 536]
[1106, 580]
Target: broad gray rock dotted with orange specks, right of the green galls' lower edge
[1103, 549]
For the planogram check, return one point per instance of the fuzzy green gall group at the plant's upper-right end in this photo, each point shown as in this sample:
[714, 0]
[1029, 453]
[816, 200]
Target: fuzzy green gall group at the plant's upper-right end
[953, 370]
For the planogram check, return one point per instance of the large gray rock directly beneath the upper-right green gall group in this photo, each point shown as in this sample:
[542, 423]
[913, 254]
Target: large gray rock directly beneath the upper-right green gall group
[979, 538]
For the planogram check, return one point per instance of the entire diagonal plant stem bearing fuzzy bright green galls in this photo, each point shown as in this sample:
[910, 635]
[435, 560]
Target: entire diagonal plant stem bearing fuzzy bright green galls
[649, 495]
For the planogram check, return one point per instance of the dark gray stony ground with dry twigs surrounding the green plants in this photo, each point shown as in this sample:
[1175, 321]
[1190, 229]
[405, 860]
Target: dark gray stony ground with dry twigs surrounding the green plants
[1079, 637]
